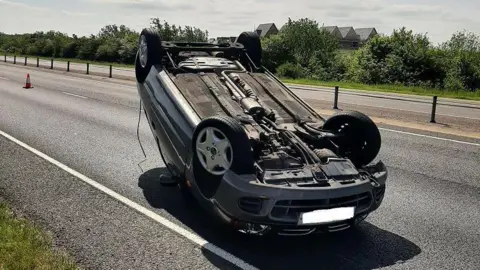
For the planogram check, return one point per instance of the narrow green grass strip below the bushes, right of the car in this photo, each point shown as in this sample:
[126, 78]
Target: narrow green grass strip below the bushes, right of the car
[391, 89]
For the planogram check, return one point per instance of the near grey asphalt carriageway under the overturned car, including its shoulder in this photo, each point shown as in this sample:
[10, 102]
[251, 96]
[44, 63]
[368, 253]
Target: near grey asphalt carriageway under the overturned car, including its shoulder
[429, 219]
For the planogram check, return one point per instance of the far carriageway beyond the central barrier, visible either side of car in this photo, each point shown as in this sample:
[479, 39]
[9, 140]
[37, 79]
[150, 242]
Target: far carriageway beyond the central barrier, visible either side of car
[417, 104]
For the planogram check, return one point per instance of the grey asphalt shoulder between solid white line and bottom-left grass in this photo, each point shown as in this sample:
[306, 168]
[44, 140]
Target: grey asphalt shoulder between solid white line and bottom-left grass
[100, 232]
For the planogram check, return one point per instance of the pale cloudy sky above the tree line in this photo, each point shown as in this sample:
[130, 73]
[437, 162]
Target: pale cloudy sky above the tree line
[439, 19]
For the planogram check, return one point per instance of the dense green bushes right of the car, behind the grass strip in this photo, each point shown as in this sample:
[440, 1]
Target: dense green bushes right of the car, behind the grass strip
[402, 58]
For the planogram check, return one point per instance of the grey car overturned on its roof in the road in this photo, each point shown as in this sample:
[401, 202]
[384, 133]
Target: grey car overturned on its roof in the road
[247, 148]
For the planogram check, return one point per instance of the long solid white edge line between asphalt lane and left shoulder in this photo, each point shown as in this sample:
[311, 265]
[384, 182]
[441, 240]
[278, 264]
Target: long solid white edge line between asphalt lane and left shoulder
[161, 220]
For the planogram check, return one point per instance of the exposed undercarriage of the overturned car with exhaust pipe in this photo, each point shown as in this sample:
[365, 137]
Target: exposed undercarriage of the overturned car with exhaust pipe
[289, 147]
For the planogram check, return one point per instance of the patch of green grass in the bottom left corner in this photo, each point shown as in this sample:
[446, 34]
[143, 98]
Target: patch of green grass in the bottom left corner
[24, 246]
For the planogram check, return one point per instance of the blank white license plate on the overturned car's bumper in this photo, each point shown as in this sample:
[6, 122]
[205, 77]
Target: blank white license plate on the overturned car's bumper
[326, 215]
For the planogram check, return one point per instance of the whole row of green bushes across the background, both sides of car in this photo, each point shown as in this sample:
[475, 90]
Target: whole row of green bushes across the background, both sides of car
[300, 50]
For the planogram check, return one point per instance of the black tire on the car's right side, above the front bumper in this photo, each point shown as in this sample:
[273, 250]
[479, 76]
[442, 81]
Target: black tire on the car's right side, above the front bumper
[359, 139]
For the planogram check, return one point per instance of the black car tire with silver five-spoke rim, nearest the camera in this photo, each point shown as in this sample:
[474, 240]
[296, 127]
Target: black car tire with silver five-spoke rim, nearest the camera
[238, 154]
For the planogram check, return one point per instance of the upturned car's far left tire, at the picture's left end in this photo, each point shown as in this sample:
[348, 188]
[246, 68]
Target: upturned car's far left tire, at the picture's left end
[149, 53]
